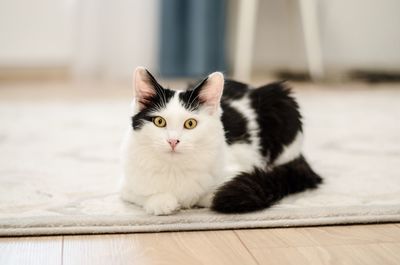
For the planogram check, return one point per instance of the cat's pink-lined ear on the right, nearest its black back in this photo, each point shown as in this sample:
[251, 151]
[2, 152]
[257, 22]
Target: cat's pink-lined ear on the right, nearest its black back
[211, 91]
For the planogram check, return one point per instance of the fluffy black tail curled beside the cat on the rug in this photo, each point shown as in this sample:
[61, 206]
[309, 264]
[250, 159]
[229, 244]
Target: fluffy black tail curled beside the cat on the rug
[260, 189]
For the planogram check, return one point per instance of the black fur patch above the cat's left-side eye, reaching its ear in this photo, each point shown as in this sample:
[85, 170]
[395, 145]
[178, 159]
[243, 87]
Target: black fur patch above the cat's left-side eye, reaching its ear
[154, 103]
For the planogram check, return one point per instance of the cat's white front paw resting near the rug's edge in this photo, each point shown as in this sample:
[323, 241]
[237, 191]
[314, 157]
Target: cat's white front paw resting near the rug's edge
[161, 204]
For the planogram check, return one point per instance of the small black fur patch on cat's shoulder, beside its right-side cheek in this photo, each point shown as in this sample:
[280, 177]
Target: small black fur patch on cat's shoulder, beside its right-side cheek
[235, 125]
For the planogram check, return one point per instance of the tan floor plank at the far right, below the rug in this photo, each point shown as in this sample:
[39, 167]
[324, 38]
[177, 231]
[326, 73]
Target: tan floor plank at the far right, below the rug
[357, 244]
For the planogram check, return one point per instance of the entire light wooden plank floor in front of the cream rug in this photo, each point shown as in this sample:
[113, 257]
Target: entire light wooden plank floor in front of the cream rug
[359, 244]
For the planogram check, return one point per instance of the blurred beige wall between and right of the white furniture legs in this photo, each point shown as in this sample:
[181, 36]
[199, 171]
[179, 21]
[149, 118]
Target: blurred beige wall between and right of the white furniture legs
[355, 34]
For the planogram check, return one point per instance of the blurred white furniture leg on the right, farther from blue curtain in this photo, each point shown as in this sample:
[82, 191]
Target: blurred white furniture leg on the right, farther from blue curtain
[309, 17]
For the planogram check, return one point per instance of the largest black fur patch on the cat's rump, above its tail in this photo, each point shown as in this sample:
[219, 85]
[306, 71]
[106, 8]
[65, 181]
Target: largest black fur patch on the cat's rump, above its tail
[278, 117]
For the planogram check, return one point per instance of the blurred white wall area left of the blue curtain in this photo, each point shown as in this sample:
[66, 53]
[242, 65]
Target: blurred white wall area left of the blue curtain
[99, 38]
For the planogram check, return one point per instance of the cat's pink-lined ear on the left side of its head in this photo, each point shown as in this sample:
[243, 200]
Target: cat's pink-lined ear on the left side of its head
[144, 86]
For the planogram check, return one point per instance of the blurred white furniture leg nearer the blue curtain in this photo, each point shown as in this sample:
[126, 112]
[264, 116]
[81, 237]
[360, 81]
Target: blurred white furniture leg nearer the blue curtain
[247, 17]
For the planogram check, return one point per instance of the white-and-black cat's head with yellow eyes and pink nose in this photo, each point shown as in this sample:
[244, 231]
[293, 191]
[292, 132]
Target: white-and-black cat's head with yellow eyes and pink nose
[174, 122]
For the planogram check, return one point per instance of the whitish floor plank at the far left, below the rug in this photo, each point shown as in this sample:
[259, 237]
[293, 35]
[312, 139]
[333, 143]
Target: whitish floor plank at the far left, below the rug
[31, 250]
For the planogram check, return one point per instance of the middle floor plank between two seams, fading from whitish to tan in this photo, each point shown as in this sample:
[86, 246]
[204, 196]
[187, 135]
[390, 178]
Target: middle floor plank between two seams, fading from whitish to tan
[211, 247]
